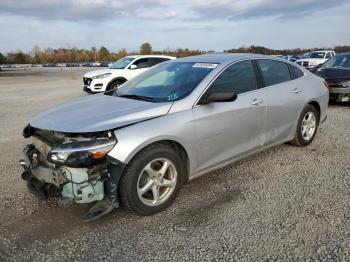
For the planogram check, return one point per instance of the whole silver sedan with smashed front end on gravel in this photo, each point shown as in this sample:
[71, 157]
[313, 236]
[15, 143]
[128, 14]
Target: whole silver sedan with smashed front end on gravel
[137, 145]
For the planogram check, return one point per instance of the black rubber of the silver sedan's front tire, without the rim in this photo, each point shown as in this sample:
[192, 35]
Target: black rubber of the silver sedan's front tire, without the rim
[129, 182]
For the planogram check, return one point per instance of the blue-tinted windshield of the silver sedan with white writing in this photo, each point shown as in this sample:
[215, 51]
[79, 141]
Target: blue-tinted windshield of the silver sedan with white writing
[165, 82]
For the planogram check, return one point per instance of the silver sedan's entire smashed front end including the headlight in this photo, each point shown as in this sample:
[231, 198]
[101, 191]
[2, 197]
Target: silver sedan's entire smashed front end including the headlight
[74, 168]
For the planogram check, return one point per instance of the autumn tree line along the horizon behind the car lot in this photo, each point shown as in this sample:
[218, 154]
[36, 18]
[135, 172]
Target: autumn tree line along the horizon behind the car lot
[72, 55]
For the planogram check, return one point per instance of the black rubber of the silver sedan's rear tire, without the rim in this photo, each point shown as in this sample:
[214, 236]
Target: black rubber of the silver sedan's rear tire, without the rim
[299, 139]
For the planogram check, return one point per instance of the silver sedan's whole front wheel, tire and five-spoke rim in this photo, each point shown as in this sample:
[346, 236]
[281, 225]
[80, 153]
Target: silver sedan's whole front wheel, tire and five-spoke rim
[151, 180]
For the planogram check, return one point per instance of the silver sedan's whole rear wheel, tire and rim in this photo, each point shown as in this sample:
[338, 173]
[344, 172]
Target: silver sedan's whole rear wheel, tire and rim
[307, 127]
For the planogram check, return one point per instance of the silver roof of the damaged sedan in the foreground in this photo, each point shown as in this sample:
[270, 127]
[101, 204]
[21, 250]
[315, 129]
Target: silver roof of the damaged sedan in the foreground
[219, 58]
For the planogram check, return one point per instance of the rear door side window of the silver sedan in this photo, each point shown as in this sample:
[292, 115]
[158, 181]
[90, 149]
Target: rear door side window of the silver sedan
[273, 72]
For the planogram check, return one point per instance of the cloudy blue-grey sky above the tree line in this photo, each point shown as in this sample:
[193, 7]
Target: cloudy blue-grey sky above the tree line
[196, 24]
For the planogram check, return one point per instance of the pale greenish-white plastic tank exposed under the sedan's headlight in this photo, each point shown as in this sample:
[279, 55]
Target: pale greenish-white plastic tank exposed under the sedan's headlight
[79, 188]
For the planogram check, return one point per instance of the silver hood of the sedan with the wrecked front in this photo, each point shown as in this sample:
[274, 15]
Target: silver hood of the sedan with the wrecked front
[96, 113]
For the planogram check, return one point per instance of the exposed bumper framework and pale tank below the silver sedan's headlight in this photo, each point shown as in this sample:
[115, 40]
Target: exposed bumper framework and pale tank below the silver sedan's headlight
[46, 180]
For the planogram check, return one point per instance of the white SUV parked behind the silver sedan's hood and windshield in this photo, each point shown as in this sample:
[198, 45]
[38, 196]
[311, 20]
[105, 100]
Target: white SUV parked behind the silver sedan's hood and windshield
[121, 71]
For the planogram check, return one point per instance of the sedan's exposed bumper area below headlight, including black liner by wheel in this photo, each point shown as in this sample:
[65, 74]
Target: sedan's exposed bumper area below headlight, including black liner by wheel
[70, 184]
